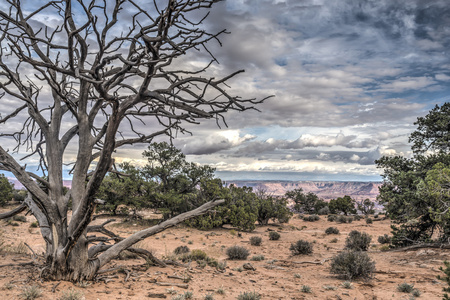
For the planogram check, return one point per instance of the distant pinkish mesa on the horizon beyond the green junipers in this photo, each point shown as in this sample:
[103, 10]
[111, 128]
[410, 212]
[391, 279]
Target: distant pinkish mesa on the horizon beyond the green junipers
[324, 189]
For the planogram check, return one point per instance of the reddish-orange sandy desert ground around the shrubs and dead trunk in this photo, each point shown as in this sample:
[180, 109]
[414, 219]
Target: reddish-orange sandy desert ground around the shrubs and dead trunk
[279, 276]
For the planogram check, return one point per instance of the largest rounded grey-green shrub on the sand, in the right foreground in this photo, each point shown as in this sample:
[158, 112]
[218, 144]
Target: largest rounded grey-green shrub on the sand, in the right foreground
[352, 264]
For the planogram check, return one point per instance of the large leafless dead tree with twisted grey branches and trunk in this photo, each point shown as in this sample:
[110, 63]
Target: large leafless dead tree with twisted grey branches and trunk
[83, 77]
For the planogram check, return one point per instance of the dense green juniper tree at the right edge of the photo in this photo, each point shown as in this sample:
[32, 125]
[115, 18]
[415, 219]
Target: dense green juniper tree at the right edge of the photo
[414, 190]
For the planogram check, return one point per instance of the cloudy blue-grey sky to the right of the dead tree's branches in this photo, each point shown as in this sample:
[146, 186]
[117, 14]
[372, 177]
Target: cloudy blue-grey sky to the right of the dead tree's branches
[349, 78]
